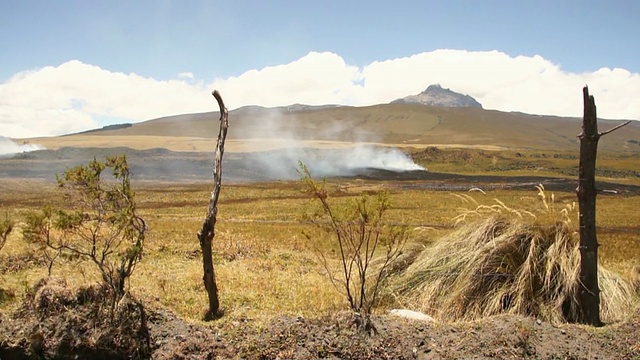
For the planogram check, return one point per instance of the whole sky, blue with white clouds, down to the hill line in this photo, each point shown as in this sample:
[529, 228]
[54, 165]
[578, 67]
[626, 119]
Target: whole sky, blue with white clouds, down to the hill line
[338, 47]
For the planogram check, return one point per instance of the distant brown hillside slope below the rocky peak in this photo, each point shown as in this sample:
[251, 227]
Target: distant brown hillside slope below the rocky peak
[392, 123]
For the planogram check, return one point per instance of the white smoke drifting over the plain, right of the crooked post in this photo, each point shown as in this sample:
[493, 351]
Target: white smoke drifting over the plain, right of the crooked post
[326, 161]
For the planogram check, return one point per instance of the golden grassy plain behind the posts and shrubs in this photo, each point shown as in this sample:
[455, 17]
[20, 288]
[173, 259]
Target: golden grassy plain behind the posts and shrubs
[265, 265]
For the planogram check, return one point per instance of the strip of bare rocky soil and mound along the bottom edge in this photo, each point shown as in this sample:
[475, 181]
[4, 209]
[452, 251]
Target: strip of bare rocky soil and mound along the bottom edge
[56, 322]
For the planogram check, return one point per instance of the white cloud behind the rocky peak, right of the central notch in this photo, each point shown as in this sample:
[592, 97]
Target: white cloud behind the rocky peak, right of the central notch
[527, 84]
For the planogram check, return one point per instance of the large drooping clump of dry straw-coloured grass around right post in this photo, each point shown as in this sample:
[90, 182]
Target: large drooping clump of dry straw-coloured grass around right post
[504, 264]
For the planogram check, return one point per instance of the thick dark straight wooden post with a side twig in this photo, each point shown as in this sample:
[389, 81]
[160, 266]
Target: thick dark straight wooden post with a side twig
[589, 292]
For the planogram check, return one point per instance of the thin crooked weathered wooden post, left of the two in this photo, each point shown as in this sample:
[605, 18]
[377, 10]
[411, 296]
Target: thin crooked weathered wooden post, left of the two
[206, 234]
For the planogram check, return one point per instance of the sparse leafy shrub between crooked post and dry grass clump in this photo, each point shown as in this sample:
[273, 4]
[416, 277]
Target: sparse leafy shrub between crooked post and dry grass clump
[361, 235]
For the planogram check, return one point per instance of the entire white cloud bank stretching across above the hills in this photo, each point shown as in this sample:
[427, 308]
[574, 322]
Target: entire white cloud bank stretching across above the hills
[74, 96]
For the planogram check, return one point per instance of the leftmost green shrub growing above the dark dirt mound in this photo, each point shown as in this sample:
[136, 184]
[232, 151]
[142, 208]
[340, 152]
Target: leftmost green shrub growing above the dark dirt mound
[97, 223]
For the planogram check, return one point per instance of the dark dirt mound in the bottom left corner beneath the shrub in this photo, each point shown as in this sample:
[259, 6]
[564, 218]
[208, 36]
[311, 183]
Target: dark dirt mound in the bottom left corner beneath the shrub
[56, 321]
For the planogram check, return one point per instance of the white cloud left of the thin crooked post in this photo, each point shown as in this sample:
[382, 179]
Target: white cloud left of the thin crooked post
[73, 96]
